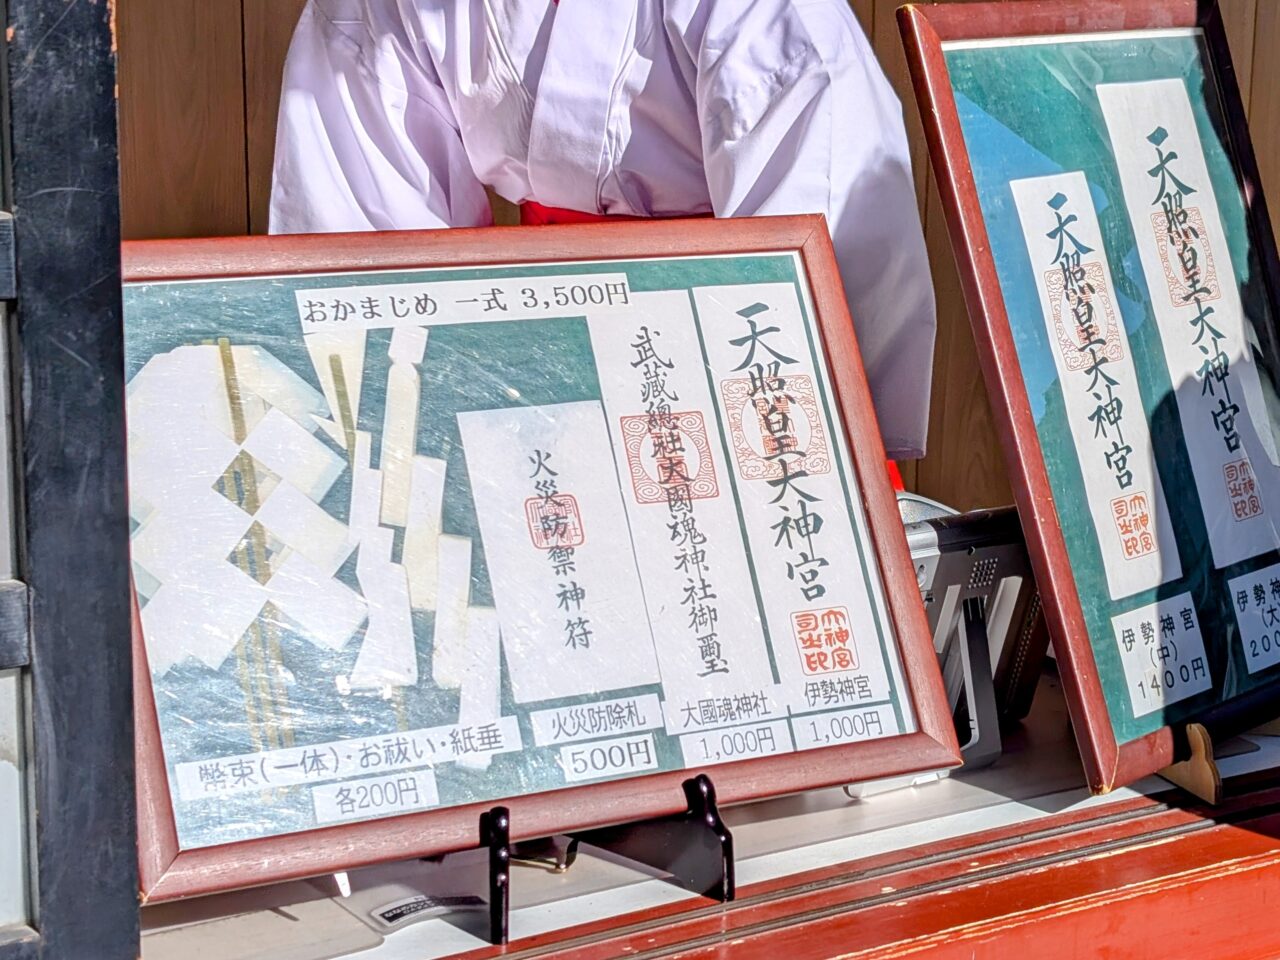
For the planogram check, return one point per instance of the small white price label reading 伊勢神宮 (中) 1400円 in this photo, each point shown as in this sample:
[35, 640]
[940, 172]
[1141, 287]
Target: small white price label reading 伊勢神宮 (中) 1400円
[1163, 653]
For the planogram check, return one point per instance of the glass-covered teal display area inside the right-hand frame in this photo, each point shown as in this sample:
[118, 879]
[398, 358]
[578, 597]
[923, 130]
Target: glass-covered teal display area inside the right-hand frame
[1142, 328]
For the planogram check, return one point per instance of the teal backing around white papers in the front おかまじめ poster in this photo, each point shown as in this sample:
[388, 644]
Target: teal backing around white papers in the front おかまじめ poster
[468, 367]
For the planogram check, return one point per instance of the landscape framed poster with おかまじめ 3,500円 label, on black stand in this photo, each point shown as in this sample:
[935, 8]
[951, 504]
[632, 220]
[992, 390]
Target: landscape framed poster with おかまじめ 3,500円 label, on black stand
[552, 518]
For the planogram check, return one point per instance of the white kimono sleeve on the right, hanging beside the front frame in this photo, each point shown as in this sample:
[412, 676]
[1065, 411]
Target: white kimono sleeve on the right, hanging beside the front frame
[798, 117]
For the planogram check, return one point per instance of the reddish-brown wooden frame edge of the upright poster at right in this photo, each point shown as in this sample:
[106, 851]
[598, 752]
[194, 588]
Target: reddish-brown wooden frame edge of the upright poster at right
[925, 29]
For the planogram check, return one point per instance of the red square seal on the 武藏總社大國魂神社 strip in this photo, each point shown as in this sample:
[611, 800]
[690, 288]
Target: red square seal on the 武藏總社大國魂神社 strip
[669, 458]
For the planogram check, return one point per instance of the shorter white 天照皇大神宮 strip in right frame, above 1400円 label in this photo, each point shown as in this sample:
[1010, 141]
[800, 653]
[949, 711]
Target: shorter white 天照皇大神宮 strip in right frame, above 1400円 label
[1099, 383]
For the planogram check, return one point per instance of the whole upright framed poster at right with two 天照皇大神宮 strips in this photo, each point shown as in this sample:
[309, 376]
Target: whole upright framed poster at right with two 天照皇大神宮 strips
[1121, 272]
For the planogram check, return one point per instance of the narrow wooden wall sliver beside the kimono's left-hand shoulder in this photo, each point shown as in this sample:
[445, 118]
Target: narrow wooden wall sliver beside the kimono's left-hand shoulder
[268, 30]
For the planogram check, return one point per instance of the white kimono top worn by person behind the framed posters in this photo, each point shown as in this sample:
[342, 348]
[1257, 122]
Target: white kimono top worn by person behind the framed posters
[397, 113]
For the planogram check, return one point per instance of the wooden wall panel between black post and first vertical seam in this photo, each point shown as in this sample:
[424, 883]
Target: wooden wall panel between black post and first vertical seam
[182, 118]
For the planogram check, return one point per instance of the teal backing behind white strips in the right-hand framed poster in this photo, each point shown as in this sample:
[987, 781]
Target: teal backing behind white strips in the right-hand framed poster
[1031, 111]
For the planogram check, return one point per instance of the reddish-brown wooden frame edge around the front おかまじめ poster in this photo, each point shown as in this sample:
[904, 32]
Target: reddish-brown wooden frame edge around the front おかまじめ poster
[168, 874]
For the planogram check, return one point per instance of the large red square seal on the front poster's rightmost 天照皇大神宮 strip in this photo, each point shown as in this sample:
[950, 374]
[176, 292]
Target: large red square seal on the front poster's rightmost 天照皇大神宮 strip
[787, 420]
